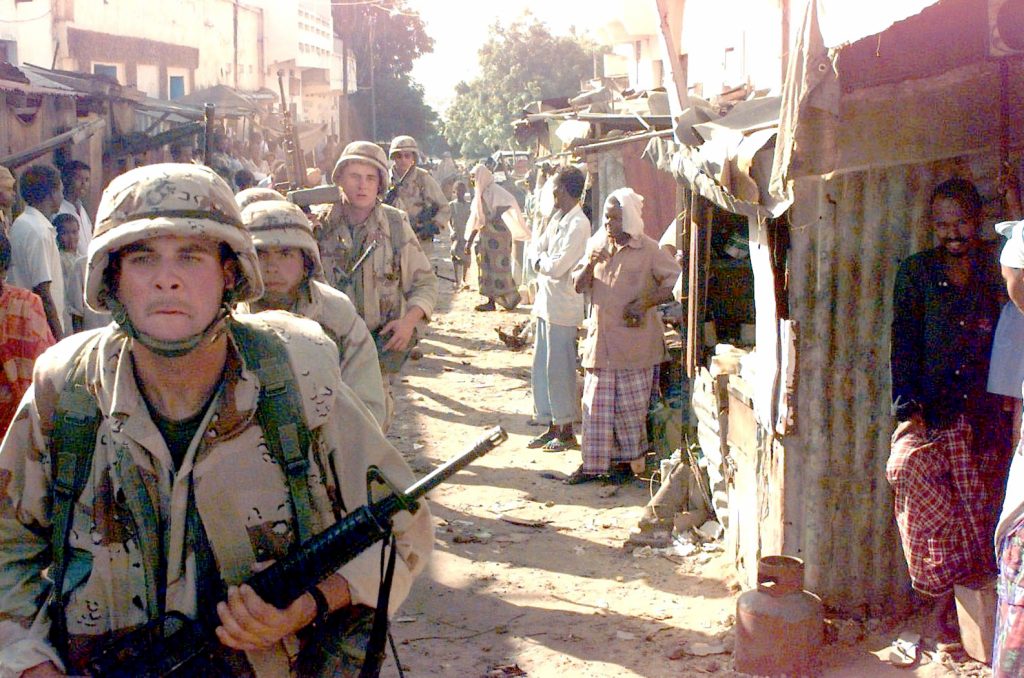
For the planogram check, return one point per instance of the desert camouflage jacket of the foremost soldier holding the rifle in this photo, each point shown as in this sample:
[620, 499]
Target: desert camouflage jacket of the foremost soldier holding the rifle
[129, 530]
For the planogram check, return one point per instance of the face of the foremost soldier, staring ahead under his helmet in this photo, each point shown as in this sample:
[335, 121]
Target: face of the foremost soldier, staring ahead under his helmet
[173, 286]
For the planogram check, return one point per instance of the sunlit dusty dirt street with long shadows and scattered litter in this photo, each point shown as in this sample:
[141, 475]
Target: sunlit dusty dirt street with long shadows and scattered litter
[530, 575]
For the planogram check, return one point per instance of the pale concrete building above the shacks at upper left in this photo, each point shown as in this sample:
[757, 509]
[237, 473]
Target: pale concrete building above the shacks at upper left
[169, 51]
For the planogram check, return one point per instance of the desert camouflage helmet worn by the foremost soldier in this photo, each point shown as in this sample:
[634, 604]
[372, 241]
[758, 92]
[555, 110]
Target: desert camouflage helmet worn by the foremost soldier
[168, 200]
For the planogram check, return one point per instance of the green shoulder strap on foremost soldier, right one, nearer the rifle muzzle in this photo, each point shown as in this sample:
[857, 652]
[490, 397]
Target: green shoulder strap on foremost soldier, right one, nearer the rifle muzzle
[281, 417]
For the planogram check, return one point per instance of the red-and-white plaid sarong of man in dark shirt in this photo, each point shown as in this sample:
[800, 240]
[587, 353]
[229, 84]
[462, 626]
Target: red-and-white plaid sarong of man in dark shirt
[941, 505]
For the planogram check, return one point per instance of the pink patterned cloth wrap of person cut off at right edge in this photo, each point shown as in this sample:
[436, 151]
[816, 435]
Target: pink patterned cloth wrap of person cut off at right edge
[1008, 650]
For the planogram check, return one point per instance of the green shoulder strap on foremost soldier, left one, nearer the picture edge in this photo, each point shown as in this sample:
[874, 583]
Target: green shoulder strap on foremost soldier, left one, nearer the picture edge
[73, 442]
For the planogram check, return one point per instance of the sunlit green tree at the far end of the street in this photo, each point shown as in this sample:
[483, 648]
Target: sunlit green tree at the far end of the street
[519, 65]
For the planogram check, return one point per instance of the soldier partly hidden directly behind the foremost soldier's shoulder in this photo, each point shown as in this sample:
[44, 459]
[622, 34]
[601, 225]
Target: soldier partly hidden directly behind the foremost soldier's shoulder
[290, 261]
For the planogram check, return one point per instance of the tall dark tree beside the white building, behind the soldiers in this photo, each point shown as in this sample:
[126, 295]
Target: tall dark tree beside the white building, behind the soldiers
[387, 38]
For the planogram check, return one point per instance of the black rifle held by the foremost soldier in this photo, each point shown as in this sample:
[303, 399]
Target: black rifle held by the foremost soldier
[176, 646]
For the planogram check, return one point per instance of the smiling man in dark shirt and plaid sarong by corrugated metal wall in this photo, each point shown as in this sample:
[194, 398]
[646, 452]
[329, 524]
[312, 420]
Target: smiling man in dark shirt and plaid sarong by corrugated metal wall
[952, 446]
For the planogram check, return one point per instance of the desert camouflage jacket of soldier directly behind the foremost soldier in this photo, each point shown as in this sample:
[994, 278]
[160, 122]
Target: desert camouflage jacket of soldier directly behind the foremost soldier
[336, 314]
